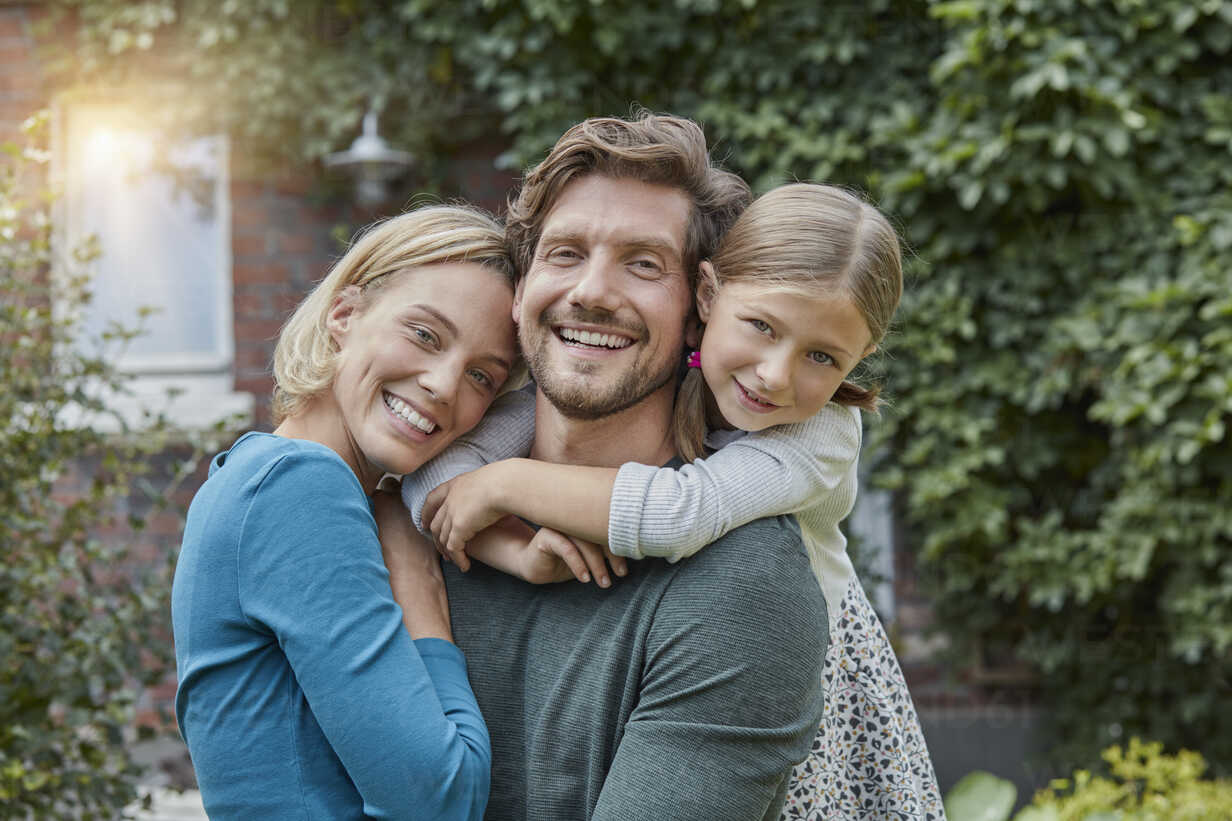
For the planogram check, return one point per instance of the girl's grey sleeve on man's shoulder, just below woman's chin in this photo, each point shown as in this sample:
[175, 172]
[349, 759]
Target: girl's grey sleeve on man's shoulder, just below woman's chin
[505, 432]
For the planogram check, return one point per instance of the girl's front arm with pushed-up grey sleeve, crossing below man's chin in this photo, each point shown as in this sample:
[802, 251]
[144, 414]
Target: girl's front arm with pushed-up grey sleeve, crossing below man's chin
[645, 511]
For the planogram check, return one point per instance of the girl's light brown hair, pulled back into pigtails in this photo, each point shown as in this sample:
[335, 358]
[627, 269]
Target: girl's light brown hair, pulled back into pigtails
[814, 240]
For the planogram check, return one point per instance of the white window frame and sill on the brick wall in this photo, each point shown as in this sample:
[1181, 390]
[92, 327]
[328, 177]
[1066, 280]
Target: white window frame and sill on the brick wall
[203, 383]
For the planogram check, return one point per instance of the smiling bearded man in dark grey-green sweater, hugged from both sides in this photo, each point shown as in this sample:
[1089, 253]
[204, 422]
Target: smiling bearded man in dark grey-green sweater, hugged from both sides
[684, 691]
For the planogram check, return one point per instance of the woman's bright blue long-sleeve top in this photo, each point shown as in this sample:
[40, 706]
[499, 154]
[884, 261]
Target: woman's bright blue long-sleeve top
[301, 695]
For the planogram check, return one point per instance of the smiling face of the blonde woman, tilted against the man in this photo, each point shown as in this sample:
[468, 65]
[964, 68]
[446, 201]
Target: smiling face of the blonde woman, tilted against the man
[421, 359]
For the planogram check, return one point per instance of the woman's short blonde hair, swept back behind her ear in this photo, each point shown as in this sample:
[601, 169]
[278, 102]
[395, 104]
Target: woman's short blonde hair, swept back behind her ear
[306, 354]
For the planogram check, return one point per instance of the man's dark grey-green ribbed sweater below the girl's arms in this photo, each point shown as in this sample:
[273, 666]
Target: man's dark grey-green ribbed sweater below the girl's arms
[687, 691]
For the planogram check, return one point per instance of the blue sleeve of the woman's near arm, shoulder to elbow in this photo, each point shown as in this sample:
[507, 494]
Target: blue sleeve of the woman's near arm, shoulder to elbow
[399, 714]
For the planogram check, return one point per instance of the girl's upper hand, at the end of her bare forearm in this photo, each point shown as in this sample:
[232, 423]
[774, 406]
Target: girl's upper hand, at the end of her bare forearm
[459, 510]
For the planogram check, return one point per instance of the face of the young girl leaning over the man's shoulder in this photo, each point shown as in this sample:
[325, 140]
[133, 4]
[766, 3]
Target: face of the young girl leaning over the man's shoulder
[773, 358]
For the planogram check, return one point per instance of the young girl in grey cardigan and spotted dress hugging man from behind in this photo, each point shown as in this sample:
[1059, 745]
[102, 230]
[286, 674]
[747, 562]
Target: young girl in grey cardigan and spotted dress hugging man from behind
[804, 288]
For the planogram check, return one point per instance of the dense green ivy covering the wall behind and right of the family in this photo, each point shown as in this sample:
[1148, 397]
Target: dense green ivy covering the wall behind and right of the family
[1061, 171]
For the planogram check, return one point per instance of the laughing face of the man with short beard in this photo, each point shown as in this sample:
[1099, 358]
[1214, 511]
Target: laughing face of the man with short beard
[602, 311]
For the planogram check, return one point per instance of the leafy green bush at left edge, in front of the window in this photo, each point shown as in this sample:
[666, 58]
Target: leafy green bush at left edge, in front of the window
[83, 624]
